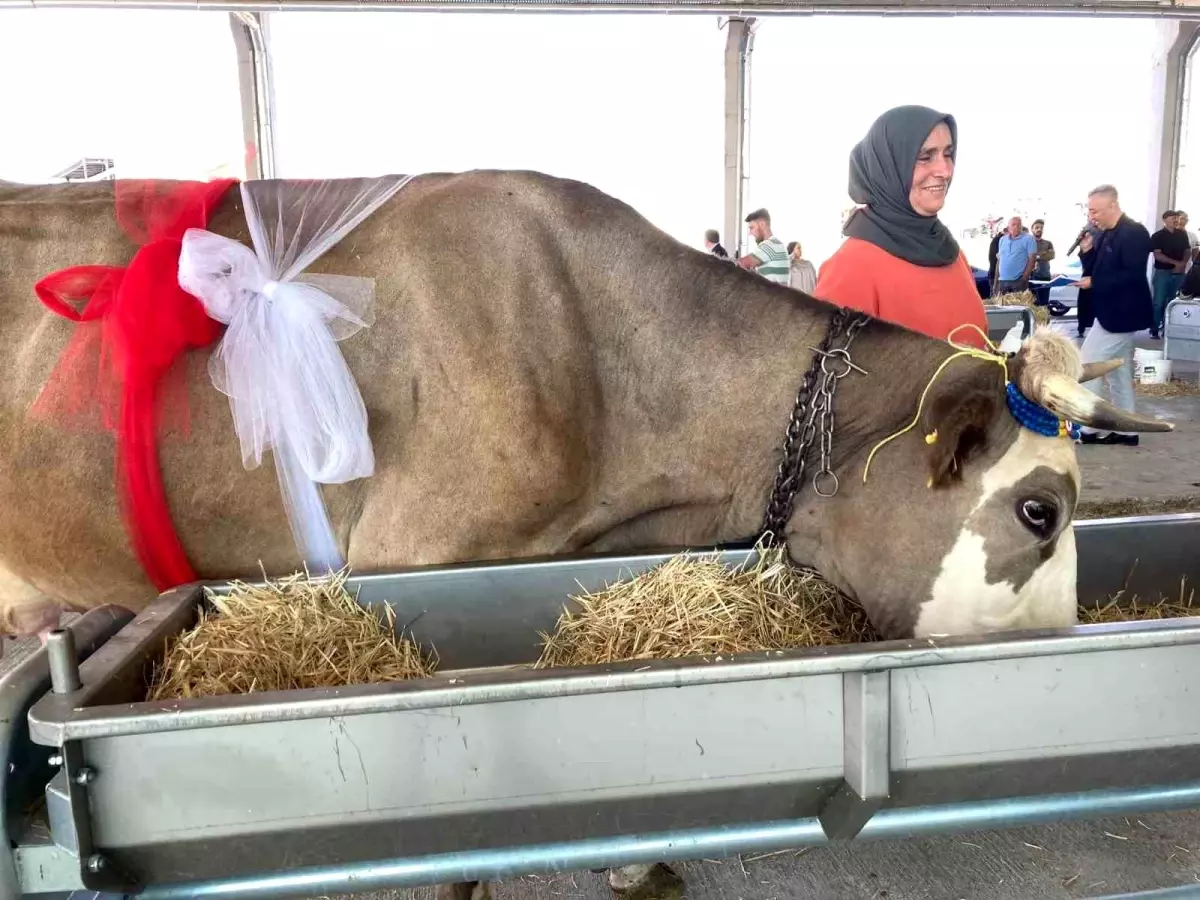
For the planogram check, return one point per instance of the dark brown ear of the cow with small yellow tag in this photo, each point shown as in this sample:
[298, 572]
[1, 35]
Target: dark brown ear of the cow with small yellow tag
[957, 425]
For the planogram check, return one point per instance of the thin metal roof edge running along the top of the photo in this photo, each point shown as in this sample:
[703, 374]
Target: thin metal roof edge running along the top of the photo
[1141, 9]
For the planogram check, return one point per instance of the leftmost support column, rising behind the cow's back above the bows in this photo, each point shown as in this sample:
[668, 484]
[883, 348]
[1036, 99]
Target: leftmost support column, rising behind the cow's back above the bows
[257, 89]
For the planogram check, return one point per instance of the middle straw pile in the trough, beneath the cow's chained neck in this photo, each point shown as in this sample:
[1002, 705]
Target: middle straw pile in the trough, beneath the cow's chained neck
[695, 607]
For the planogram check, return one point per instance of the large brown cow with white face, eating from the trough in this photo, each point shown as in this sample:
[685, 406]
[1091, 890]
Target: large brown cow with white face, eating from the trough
[548, 373]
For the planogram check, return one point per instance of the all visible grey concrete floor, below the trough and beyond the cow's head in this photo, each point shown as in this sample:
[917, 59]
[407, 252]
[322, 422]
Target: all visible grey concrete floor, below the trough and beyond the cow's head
[1076, 860]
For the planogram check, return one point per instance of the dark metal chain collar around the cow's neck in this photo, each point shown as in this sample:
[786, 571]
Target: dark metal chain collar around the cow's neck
[812, 418]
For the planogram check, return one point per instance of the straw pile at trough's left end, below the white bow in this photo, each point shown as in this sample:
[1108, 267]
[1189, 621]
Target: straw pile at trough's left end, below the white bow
[292, 634]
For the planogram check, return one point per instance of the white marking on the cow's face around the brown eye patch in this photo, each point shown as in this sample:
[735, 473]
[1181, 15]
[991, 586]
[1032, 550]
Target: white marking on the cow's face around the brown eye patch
[964, 603]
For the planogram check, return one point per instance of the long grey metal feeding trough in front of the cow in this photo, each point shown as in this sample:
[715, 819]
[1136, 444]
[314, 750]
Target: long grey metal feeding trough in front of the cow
[491, 769]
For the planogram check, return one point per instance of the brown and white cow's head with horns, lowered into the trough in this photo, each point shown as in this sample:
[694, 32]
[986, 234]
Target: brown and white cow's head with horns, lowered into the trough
[963, 525]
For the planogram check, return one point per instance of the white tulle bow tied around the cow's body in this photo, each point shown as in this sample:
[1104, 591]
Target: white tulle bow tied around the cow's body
[279, 363]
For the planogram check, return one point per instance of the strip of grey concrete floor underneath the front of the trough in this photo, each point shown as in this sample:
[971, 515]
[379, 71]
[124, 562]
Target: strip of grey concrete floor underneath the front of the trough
[1067, 861]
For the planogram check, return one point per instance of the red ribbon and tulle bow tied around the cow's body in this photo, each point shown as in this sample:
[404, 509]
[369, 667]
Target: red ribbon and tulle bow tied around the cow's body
[135, 325]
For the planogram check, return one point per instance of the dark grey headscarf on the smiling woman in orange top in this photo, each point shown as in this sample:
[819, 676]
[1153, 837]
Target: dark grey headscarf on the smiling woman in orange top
[881, 178]
